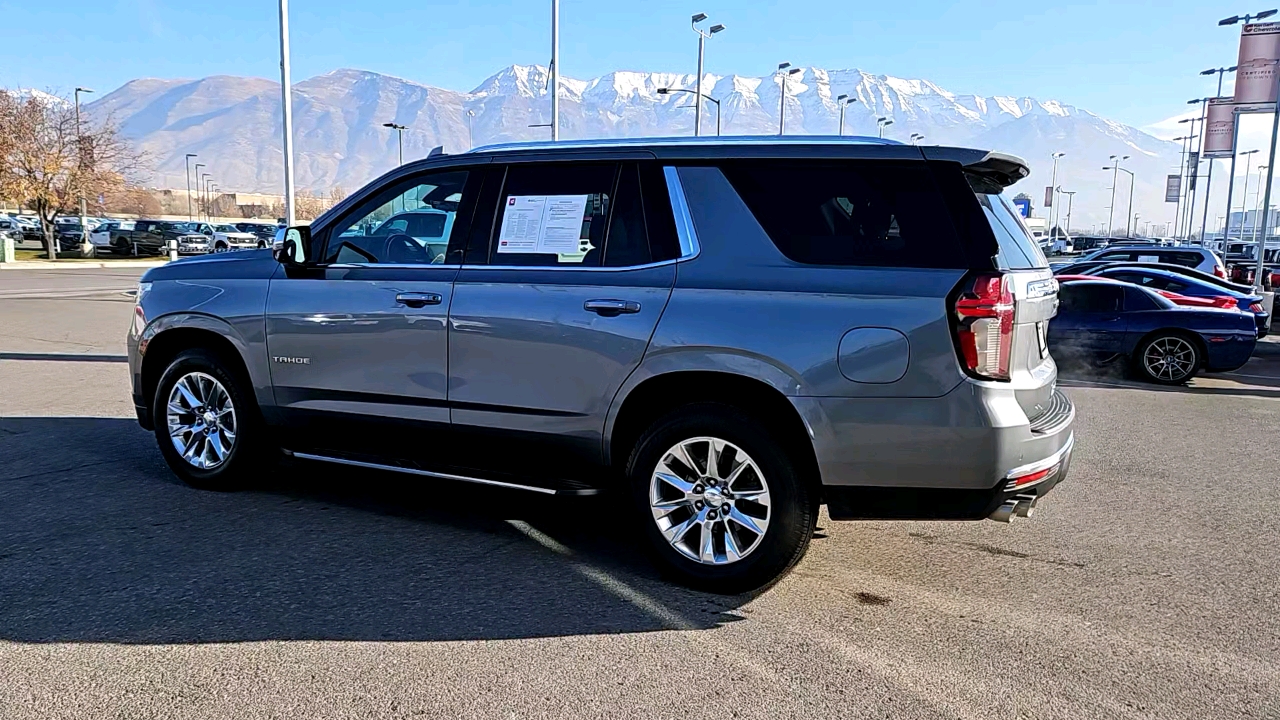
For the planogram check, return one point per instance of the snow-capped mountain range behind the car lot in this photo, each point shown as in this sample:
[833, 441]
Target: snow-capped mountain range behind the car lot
[234, 124]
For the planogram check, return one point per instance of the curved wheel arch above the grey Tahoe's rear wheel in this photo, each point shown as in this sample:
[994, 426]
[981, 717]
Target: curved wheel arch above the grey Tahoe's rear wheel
[661, 394]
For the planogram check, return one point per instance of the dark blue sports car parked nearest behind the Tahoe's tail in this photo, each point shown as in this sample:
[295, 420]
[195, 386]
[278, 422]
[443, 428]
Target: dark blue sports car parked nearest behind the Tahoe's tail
[1104, 321]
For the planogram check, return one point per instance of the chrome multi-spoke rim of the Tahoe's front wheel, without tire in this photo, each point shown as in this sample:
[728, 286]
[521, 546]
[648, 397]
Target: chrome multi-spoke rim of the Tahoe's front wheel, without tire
[202, 421]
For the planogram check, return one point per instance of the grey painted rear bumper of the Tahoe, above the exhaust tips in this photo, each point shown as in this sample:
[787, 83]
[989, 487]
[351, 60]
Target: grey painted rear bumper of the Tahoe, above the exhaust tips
[971, 439]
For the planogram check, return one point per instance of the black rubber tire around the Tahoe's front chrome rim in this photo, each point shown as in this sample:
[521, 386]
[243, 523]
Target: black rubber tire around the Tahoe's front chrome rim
[250, 453]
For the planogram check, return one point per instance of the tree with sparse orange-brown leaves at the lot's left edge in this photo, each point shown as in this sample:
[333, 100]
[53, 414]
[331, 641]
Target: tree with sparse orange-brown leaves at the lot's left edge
[49, 163]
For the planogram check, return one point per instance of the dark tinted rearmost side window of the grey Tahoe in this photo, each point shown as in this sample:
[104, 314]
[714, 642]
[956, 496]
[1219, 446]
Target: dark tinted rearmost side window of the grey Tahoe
[854, 213]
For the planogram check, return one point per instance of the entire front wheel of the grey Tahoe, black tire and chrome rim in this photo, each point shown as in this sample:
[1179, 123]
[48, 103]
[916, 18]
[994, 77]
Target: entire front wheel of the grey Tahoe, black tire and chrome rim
[208, 423]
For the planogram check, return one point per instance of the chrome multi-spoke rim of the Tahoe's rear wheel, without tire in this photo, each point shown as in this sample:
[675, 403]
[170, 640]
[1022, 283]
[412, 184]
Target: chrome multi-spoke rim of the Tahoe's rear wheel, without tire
[710, 500]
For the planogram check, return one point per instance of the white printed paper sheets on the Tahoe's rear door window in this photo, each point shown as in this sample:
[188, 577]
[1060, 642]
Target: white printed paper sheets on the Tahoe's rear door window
[543, 224]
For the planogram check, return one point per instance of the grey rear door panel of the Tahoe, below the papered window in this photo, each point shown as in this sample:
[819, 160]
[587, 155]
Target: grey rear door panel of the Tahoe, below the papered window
[529, 359]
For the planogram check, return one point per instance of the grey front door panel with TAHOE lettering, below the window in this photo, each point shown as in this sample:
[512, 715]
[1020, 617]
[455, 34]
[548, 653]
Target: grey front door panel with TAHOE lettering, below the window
[362, 345]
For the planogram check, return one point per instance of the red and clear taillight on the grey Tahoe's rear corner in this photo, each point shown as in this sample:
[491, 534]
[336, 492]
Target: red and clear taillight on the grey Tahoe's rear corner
[985, 327]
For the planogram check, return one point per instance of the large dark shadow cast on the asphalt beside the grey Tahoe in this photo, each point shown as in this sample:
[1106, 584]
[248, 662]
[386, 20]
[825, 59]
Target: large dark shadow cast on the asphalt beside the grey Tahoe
[99, 543]
